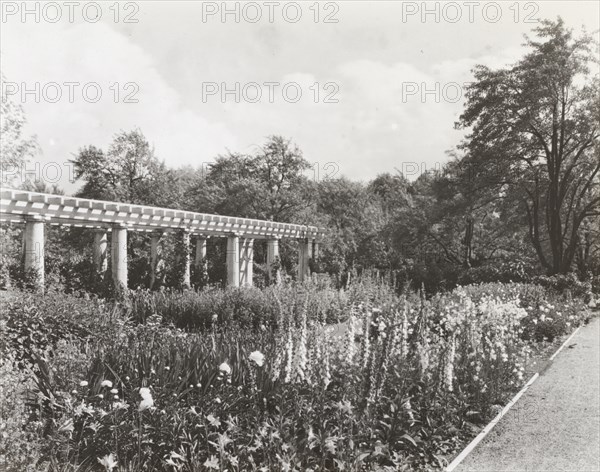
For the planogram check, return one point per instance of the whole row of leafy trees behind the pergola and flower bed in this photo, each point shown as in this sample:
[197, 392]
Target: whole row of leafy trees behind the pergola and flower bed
[519, 196]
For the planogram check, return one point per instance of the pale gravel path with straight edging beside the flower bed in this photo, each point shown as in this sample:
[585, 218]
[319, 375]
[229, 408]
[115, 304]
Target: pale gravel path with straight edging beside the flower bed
[555, 425]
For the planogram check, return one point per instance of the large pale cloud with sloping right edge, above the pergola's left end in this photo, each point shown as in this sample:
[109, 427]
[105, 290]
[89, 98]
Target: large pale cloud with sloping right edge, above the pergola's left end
[97, 54]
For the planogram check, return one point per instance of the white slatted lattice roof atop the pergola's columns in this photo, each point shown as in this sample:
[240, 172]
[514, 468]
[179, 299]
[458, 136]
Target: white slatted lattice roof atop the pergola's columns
[18, 205]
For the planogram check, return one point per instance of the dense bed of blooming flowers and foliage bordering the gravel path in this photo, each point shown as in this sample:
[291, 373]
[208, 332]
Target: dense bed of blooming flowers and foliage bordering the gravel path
[401, 387]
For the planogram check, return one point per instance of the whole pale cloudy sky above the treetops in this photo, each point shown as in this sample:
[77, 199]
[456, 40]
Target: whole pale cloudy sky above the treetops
[362, 88]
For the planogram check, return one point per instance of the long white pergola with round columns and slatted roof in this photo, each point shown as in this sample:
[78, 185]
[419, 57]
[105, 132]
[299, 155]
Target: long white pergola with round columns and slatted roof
[37, 209]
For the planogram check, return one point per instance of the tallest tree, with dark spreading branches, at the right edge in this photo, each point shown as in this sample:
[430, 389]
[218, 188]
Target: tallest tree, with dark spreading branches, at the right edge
[534, 133]
